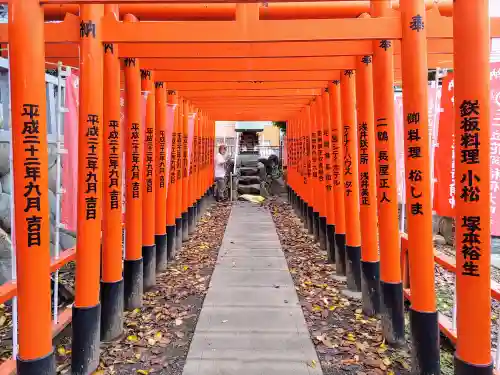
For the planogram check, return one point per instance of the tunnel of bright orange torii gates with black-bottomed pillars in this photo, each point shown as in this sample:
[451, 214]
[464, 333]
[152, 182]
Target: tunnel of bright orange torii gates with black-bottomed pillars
[328, 69]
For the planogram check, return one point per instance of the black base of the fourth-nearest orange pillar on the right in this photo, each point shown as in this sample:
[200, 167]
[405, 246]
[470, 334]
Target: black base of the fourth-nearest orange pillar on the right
[370, 287]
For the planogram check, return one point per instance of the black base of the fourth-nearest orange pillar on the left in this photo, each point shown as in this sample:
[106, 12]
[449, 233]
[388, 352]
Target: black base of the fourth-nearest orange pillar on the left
[133, 283]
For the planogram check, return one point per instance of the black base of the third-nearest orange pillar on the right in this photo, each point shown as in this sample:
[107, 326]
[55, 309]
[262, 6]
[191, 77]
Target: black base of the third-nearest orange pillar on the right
[392, 312]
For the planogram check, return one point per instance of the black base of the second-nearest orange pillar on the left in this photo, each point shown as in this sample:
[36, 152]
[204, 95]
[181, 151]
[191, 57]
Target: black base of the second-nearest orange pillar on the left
[85, 339]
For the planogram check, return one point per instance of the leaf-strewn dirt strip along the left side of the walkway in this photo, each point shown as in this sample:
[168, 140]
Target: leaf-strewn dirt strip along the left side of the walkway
[157, 336]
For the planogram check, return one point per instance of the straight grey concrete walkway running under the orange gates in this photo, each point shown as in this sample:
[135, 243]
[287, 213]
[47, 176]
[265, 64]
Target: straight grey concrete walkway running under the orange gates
[251, 322]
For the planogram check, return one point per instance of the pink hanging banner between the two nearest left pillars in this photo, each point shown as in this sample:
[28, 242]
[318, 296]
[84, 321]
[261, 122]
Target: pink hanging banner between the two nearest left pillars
[69, 175]
